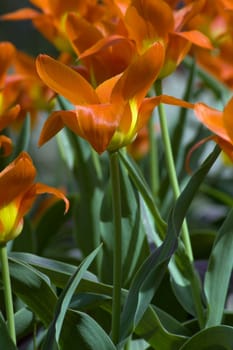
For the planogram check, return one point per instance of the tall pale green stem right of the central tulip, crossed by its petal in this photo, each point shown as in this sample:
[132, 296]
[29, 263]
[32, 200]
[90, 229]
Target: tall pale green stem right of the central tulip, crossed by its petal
[171, 167]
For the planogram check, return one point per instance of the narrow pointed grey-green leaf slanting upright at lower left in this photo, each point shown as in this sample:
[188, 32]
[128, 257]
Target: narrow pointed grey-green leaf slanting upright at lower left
[64, 301]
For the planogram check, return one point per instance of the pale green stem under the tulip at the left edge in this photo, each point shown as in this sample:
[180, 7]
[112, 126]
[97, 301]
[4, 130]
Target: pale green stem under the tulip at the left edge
[7, 292]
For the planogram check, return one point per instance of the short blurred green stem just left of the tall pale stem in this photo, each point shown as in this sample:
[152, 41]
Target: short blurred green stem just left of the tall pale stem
[153, 155]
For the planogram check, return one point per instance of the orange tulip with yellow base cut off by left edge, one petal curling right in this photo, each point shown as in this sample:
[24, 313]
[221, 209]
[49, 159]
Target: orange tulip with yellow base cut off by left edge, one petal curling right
[18, 192]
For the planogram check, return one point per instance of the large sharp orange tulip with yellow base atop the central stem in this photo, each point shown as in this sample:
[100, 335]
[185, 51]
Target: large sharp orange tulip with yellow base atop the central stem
[109, 116]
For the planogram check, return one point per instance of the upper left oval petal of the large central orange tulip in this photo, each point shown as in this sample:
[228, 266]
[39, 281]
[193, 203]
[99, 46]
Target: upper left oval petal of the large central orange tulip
[65, 81]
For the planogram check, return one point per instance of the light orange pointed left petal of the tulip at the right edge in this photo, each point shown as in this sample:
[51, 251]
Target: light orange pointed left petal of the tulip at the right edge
[212, 119]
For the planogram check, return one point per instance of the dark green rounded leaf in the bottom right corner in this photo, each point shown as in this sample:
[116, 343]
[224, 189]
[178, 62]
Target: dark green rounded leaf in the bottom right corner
[213, 338]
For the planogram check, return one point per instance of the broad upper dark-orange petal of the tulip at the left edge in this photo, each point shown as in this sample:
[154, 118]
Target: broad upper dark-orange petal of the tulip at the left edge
[16, 178]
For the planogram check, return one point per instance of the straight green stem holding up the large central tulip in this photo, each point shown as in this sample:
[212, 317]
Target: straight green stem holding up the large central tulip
[116, 203]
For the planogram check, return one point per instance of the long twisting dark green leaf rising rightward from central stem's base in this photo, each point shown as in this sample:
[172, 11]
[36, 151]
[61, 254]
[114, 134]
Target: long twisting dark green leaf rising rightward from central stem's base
[151, 272]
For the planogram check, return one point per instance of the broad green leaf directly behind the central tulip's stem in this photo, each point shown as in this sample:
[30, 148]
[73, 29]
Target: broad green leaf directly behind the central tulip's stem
[134, 243]
